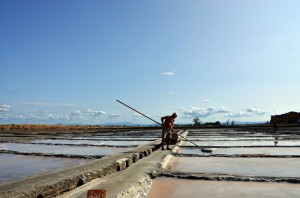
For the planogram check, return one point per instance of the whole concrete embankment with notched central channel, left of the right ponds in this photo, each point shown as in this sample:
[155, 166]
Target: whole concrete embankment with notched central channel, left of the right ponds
[123, 175]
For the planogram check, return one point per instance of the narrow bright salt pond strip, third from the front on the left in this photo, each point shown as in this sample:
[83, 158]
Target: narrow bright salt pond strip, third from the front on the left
[99, 142]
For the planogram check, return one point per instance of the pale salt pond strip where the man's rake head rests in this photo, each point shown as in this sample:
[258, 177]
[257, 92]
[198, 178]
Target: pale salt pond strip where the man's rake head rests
[271, 151]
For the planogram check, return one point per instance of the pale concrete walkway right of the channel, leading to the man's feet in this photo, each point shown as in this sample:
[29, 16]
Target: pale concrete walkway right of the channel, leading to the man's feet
[131, 182]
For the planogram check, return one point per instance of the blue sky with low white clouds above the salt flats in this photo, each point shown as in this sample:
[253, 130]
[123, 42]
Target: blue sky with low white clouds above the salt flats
[68, 61]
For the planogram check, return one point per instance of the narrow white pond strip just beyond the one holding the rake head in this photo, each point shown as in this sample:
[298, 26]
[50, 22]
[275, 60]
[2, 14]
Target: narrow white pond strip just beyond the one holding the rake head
[244, 143]
